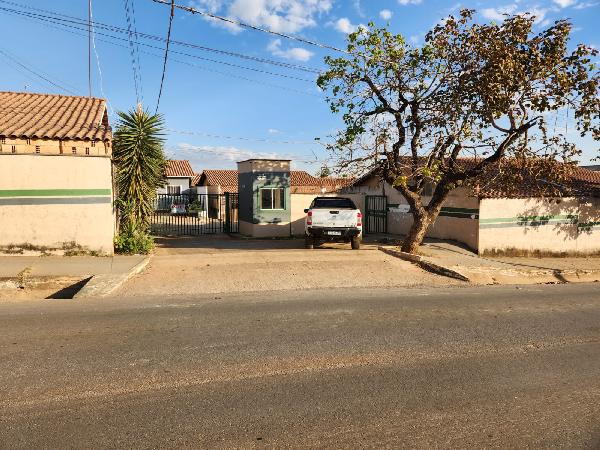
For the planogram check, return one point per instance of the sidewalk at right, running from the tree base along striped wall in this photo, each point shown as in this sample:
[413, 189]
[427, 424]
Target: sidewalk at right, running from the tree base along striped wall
[510, 270]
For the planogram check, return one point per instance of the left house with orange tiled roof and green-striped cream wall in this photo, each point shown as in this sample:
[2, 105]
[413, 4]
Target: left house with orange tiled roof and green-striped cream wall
[56, 186]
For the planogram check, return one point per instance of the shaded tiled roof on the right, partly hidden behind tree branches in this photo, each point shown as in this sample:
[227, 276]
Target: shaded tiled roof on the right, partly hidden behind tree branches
[496, 183]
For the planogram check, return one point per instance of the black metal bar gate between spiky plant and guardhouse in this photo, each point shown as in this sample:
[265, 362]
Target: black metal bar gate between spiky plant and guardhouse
[195, 214]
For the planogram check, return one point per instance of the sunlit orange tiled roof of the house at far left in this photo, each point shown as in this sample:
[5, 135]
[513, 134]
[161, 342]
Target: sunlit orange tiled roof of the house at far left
[51, 116]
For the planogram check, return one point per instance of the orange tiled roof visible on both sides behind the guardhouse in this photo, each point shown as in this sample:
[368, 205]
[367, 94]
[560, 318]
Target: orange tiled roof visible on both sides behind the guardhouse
[301, 181]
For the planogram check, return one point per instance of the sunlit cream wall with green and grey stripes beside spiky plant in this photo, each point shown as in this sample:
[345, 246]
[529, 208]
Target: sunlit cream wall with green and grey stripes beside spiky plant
[47, 201]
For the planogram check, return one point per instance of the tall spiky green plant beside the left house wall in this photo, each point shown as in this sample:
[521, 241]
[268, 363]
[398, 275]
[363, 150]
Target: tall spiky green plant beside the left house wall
[140, 163]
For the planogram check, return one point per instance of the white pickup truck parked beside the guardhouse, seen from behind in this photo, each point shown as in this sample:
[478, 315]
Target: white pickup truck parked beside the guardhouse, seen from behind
[333, 219]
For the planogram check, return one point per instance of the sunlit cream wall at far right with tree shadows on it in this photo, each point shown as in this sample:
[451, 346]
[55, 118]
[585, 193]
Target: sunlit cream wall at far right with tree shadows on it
[568, 225]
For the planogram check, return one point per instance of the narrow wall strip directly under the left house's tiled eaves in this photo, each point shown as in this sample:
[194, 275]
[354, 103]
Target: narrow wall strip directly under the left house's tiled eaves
[54, 147]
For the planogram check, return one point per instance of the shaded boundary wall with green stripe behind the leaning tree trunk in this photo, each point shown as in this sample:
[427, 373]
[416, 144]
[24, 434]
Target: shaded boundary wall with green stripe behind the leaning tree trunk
[458, 219]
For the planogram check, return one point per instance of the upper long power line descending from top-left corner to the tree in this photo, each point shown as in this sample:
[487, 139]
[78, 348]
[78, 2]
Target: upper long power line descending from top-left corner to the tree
[113, 28]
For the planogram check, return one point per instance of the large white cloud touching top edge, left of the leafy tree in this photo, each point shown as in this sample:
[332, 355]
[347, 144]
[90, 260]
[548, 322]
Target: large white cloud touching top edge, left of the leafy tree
[283, 16]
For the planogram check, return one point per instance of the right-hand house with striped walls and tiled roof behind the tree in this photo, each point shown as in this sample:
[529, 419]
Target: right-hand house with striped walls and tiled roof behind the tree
[491, 218]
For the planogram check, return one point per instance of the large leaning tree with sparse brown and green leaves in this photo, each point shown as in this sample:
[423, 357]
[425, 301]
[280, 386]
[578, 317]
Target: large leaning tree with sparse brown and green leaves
[489, 92]
